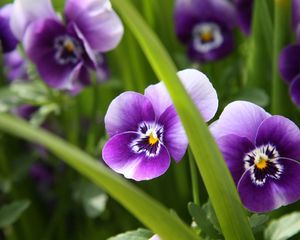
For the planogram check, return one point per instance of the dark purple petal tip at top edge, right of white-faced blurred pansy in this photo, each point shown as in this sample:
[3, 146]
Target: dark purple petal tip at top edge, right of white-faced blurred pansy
[244, 9]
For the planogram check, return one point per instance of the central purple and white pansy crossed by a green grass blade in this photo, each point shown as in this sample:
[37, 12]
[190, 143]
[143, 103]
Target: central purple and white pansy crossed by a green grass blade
[145, 130]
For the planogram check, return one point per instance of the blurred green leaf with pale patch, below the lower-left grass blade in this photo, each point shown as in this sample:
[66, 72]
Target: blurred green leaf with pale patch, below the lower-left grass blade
[92, 197]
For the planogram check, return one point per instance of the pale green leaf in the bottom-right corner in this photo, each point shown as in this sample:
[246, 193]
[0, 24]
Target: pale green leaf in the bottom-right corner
[284, 227]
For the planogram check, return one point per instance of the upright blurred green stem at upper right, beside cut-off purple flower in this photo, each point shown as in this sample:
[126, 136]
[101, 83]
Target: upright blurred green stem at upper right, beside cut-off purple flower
[282, 29]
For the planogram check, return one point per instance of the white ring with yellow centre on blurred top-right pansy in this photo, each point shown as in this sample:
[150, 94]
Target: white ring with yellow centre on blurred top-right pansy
[207, 36]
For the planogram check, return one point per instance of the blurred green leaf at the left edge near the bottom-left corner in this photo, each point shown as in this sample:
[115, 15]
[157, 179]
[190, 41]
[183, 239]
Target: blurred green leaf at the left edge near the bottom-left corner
[11, 212]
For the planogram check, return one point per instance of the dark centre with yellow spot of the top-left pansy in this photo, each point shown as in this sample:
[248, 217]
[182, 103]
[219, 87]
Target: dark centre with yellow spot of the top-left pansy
[67, 50]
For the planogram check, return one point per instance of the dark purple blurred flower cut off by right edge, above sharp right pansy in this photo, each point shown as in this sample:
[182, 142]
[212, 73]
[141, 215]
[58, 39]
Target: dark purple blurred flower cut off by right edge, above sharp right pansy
[289, 68]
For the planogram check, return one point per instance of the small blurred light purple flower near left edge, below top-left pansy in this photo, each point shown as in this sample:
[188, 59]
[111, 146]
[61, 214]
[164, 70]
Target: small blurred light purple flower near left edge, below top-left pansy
[15, 66]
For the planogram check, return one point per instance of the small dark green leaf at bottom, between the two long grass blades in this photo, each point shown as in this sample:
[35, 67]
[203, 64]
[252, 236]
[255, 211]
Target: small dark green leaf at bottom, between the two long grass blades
[200, 217]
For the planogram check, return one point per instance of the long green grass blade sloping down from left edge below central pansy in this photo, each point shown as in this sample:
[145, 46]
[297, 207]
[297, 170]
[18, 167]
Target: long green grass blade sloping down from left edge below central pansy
[146, 209]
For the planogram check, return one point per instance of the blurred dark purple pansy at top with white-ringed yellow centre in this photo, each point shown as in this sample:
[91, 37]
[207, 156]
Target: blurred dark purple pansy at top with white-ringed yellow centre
[205, 26]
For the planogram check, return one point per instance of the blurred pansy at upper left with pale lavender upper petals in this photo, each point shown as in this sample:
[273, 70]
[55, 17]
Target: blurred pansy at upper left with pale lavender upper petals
[66, 51]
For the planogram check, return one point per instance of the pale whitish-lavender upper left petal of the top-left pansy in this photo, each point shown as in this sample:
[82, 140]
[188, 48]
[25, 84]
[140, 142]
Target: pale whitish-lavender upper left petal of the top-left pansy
[25, 12]
